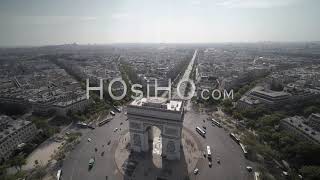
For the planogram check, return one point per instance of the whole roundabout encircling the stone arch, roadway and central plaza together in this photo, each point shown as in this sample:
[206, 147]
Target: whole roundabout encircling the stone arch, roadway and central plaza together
[114, 145]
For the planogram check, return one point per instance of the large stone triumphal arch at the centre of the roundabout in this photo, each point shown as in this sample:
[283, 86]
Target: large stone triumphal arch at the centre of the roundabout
[165, 114]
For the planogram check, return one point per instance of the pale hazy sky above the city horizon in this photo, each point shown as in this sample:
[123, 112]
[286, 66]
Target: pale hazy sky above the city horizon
[44, 22]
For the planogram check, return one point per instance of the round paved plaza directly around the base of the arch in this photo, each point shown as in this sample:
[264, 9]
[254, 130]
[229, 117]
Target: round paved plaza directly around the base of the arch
[152, 164]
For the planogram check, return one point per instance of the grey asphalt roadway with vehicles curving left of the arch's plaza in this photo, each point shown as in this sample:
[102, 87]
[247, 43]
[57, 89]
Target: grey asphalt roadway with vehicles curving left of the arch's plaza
[75, 167]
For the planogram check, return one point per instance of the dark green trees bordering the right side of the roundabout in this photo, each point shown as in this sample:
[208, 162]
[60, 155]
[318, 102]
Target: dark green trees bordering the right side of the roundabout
[273, 142]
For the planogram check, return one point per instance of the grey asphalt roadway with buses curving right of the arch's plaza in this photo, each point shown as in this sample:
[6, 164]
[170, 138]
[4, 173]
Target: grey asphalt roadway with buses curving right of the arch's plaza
[233, 163]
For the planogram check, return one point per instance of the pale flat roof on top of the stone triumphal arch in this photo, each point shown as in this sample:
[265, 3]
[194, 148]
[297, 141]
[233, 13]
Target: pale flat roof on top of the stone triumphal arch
[158, 102]
